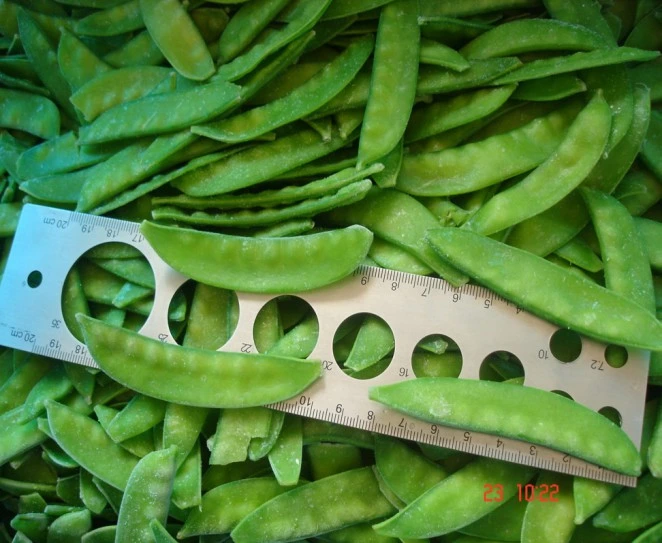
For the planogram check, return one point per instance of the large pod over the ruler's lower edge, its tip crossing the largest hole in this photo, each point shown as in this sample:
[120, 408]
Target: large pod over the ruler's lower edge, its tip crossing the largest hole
[250, 379]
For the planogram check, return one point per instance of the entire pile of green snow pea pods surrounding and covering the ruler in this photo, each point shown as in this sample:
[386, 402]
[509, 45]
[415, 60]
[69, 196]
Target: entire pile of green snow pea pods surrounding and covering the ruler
[514, 143]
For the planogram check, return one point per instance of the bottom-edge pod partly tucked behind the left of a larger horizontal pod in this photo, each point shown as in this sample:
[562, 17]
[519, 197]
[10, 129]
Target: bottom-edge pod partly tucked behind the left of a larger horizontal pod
[223, 507]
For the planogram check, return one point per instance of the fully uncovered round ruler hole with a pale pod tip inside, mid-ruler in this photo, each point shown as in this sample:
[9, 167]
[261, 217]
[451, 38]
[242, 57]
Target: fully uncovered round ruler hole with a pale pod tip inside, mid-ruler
[363, 346]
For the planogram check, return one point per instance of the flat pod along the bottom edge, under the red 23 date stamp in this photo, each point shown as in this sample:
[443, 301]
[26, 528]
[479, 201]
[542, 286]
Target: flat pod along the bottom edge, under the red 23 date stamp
[459, 496]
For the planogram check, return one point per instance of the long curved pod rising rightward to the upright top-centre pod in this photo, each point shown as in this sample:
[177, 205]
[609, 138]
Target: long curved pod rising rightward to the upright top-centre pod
[302, 101]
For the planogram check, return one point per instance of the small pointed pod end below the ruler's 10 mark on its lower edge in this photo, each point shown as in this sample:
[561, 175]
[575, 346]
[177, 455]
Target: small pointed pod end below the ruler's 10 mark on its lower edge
[285, 457]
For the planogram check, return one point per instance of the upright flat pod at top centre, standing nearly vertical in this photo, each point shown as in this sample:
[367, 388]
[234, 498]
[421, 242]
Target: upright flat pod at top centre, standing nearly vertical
[393, 82]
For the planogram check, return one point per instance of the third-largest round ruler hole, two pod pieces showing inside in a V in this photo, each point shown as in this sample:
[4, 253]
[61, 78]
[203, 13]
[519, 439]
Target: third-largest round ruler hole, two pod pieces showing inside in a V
[287, 326]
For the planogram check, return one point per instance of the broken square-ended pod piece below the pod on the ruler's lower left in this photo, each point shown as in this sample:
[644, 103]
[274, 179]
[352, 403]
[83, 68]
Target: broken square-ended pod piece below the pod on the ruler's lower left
[235, 429]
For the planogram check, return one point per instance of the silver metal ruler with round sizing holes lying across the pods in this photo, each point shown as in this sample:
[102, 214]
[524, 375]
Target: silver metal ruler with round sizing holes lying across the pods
[48, 242]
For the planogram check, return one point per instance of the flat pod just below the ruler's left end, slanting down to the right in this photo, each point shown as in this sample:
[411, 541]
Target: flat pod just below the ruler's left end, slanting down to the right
[97, 453]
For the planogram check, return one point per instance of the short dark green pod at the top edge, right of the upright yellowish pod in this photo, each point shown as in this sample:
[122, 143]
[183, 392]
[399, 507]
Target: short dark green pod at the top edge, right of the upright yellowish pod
[245, 25]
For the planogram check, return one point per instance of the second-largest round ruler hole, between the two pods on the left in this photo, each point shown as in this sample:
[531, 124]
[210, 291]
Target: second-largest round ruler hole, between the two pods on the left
[202, 316]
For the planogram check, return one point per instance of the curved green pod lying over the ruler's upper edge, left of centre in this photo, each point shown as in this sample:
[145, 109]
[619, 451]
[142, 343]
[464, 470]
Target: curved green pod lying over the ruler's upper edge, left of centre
[261, 264]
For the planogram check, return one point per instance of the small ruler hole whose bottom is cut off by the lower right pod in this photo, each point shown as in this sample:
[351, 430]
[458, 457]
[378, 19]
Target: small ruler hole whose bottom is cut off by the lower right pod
[436, 355]
